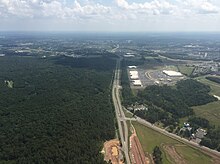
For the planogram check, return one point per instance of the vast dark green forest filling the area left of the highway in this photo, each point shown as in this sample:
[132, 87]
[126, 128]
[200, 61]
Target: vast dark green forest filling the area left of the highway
[56, 110]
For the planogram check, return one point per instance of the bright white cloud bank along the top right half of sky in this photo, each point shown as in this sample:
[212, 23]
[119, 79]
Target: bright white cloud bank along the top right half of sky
[163, 7]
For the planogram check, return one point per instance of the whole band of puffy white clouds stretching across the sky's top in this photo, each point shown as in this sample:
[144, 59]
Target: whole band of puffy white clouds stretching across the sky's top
[62, 10]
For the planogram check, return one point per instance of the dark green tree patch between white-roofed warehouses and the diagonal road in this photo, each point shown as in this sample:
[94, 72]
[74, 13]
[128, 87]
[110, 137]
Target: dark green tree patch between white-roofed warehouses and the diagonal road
[177, 101]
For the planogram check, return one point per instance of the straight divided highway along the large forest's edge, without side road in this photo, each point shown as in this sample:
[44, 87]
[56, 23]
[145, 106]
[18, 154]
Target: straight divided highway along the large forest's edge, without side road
[120, 116]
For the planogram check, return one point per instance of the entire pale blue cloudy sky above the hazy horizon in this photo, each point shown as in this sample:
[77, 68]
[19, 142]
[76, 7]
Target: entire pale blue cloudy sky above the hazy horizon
[110, 15]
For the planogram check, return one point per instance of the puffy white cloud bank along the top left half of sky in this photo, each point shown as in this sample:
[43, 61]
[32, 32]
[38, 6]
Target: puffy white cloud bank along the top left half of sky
[50, 8]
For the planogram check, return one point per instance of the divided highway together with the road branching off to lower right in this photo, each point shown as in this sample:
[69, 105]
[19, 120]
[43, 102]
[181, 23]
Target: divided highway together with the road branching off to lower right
[123, 128]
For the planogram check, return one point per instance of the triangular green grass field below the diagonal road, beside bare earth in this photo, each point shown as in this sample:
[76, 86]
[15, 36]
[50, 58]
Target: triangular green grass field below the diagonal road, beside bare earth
[150, 138]
